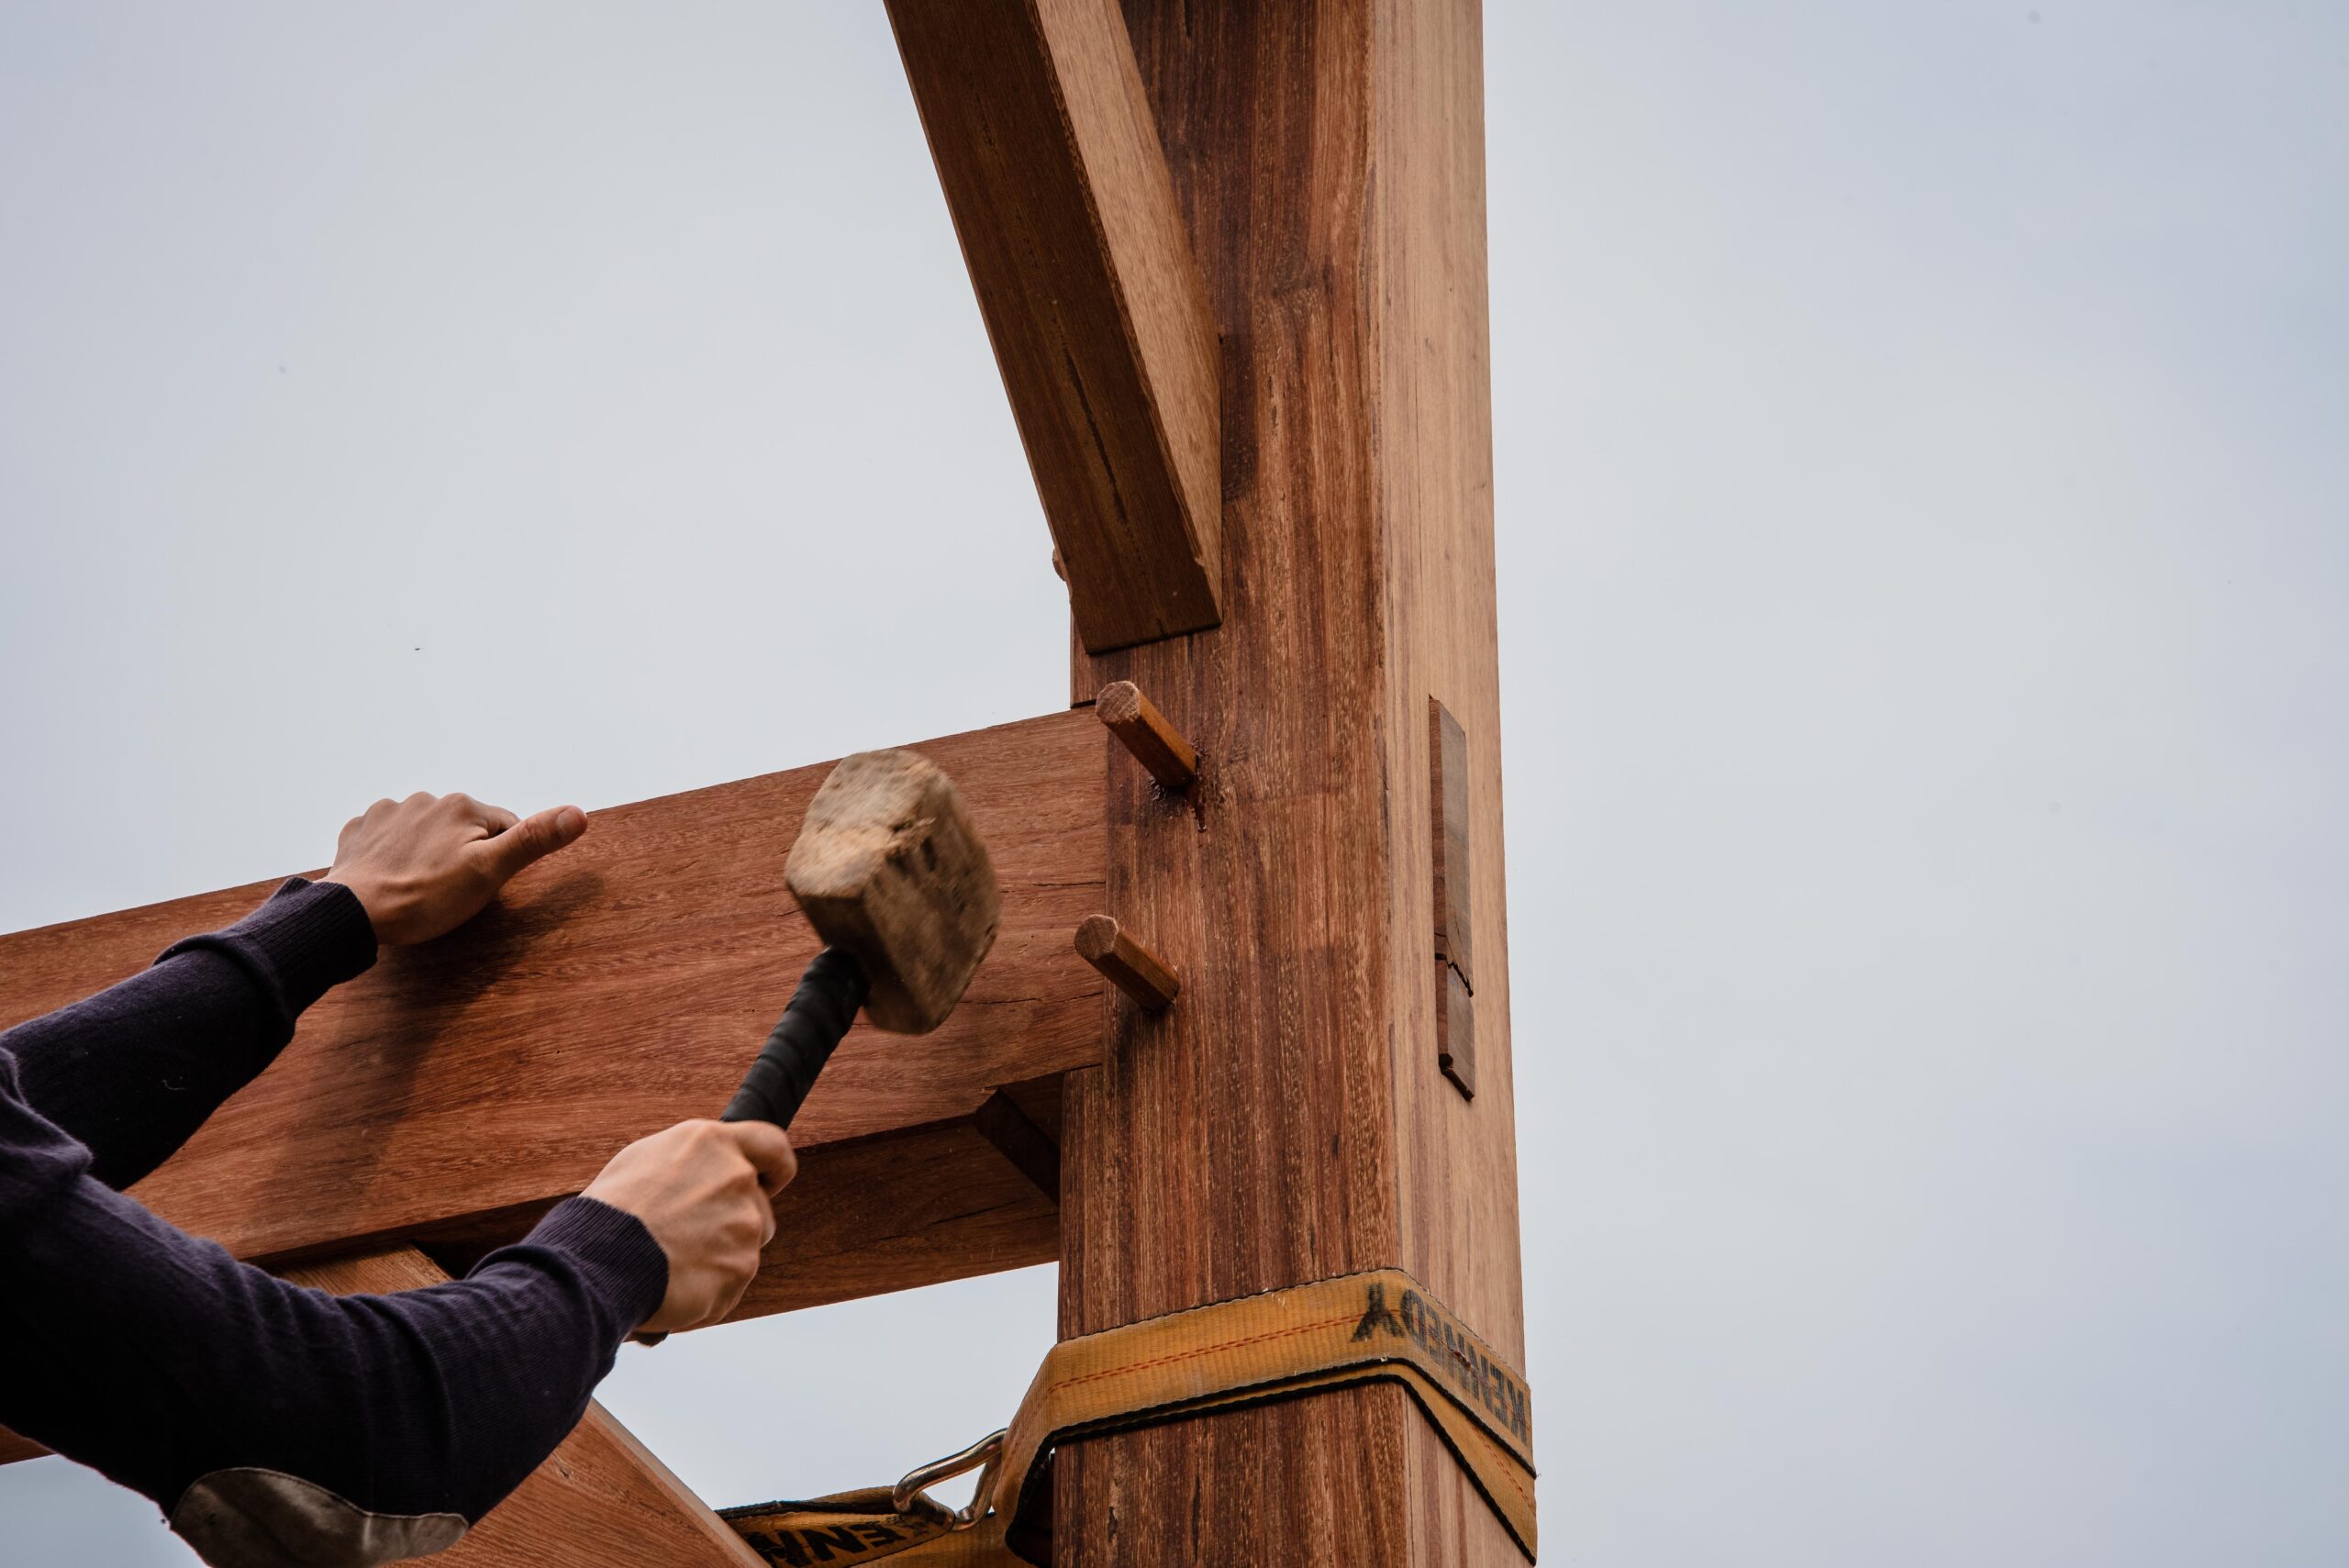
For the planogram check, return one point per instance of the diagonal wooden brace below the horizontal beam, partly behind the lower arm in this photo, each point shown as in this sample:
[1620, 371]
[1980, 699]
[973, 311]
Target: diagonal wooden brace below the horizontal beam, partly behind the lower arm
[600, 1501]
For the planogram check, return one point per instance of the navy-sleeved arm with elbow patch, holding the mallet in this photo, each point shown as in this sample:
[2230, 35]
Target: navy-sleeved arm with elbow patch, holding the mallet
[194, 1379]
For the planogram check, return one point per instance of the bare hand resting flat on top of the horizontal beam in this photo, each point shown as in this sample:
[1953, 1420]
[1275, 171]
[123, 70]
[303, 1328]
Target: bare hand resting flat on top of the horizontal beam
[431, 863]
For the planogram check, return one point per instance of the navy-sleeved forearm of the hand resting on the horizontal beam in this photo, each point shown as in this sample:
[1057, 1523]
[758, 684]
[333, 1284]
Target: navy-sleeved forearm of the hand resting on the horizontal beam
[137, 1069]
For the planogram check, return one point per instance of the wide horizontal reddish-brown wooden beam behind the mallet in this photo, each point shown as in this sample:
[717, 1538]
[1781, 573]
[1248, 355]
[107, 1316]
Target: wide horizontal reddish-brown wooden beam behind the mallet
[614, 989]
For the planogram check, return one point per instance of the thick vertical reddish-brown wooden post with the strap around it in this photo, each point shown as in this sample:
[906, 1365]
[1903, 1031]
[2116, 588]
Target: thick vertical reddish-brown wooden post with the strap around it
[1288, 1118]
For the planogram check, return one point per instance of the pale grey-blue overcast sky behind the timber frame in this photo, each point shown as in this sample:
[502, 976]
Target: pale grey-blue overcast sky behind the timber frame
[1923, 527]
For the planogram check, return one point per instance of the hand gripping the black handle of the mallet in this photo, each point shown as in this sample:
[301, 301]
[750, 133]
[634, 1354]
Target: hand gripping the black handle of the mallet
[708, 1196]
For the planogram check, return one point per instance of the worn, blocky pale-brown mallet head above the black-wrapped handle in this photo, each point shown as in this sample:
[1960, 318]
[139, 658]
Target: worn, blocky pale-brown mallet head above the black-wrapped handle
[891, 870]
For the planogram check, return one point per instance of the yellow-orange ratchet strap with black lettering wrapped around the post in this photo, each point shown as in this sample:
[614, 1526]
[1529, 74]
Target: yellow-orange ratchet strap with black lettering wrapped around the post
[1277, 1346]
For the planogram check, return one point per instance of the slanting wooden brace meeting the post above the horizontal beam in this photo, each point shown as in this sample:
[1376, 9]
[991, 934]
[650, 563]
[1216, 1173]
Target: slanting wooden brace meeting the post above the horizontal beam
[1091, 297]
